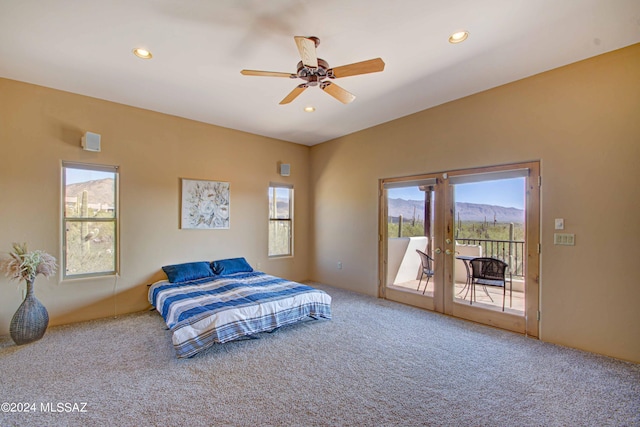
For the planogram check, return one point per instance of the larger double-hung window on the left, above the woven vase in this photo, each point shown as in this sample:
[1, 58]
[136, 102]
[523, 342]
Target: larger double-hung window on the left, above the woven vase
[89, 220]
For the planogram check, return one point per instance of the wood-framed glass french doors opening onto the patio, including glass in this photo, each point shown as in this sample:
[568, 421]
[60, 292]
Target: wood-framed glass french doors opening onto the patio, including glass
[454, 217]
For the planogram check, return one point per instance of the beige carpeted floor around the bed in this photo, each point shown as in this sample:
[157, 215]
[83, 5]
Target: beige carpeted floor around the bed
[377, 363]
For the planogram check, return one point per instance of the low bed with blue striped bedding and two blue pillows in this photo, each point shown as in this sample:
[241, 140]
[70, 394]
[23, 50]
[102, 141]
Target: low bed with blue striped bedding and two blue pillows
[206, 303]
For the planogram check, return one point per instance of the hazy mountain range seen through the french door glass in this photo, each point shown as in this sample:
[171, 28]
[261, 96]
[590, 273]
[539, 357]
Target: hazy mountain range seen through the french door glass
[464, 211]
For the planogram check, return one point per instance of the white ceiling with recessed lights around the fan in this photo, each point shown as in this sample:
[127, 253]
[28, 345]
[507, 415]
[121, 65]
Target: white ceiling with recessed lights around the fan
[200, 46]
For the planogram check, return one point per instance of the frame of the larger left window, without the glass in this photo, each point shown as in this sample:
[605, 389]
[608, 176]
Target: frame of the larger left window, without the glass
[115, 220]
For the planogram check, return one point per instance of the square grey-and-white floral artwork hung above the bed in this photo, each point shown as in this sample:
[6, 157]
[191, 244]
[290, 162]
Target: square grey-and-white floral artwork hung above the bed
[205, 204]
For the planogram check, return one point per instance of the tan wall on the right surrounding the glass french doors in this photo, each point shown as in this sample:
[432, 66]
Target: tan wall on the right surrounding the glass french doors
[581, 121]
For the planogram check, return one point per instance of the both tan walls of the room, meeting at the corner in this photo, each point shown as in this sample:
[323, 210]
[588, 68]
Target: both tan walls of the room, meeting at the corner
[581, 121]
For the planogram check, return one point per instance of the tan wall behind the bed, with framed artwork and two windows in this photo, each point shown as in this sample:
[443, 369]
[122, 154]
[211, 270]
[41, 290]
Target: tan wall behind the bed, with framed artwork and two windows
[40, 127]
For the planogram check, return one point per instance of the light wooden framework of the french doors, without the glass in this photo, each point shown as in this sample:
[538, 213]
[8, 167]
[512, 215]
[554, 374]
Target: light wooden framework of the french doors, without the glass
[442, 300]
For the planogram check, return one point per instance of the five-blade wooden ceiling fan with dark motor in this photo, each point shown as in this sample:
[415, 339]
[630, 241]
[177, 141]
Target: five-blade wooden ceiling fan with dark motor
[314, 71]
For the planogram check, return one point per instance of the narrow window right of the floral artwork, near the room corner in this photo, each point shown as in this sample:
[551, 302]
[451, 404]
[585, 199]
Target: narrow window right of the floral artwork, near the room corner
[280, 220]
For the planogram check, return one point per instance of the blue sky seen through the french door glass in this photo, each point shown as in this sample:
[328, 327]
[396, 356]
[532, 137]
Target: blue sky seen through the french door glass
[506, 192]
